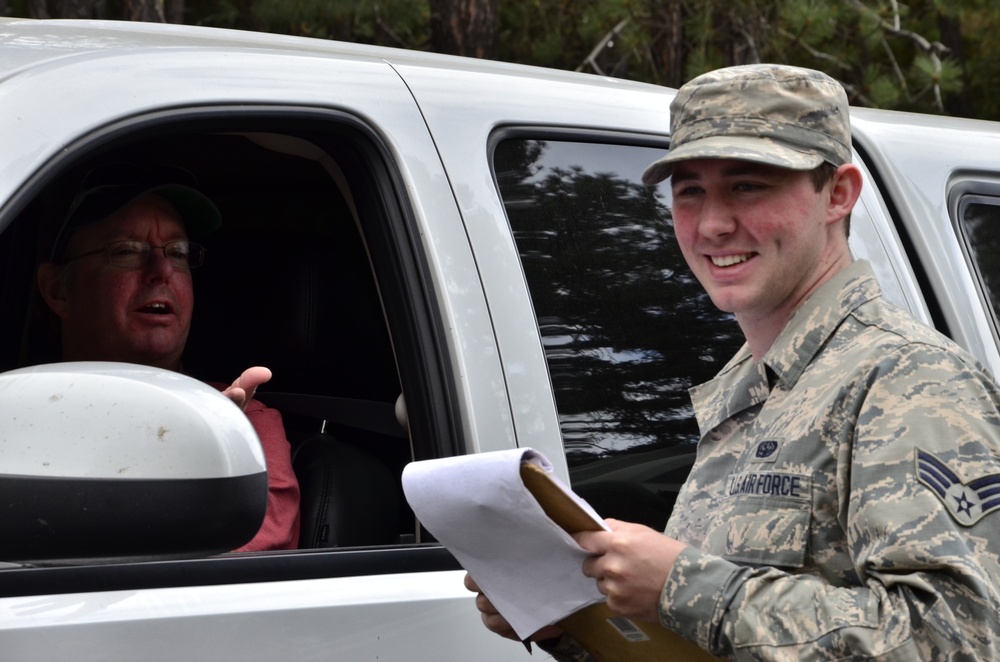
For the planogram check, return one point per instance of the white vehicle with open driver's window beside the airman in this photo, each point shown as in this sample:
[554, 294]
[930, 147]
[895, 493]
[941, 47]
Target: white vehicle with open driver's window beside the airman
[435, 256]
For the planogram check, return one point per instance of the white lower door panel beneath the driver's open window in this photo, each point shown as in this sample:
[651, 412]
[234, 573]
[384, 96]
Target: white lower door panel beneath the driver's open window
[352, 618]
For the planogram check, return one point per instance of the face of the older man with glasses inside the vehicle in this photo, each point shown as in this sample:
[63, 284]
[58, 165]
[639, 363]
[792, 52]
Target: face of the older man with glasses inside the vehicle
[137, 315]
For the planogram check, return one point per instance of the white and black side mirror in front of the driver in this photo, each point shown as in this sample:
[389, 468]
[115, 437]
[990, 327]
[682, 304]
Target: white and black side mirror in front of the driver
[114, 461]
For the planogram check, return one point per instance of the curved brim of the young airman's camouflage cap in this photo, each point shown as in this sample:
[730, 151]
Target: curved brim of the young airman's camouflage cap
[737, 148]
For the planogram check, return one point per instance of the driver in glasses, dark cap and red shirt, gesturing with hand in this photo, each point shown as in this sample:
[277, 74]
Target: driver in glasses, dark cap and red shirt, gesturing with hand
[119, 280]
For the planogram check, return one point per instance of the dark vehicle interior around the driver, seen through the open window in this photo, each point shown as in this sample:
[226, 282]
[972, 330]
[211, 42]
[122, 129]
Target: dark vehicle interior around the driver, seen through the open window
[288, 283]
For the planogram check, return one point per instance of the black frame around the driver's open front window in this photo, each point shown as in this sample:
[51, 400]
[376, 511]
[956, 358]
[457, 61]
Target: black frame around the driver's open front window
[407, 292]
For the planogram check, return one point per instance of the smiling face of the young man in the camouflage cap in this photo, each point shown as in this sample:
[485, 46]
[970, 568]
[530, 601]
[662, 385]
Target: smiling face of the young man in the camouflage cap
[760, 239]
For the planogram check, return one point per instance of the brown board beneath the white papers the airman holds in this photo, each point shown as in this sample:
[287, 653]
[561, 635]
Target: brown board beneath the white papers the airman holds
[607, 637]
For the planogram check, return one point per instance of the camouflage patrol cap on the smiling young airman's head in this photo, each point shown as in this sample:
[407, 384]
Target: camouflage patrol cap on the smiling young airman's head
[784, 116]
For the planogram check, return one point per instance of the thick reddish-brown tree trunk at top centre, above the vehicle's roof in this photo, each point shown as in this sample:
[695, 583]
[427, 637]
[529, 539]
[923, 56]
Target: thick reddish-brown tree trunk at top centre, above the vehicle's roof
[465, 27]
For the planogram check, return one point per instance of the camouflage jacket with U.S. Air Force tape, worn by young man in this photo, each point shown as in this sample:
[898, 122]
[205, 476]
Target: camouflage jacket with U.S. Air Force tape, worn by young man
[843, 503]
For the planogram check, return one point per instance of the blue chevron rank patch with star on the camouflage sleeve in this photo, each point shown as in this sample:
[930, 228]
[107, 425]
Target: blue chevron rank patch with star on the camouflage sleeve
[967, 502]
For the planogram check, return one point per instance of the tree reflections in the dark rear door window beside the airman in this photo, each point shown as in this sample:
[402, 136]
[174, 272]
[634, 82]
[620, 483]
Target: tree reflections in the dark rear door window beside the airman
[626, 327]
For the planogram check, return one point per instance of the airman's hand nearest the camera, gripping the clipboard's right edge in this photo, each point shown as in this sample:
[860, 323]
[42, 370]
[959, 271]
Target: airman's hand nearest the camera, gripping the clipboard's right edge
[630, 563]
